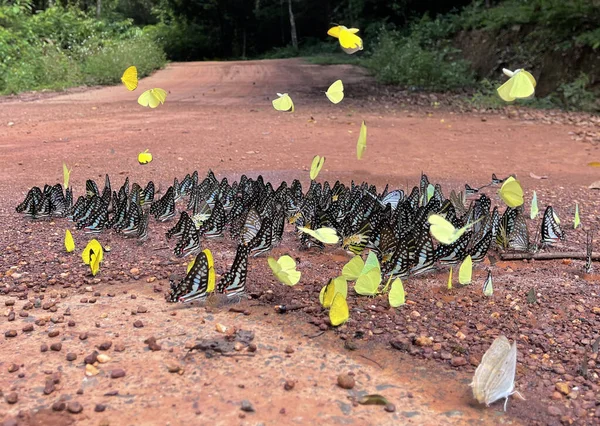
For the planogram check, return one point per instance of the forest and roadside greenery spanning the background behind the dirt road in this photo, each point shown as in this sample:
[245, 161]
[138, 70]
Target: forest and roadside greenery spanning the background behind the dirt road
[421, 45]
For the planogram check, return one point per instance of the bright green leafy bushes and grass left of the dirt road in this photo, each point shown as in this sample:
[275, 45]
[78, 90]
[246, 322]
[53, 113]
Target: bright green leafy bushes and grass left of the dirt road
[59, 48]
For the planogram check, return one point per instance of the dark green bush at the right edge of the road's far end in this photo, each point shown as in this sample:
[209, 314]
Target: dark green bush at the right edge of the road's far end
[401, 60]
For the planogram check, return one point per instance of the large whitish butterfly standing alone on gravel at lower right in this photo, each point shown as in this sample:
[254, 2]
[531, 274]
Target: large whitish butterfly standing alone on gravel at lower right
[495, 376]
